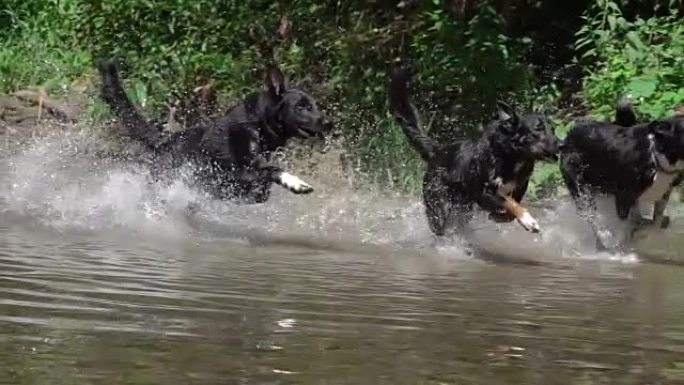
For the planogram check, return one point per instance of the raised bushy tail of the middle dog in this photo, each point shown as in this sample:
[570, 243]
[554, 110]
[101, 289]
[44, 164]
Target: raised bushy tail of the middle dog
[407, 114]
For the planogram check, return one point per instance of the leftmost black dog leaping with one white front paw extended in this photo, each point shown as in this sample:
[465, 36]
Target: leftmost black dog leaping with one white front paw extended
[231, 153]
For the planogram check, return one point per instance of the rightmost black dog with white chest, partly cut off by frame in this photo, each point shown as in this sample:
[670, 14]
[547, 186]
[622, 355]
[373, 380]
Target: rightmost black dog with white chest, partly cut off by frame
[638, 164]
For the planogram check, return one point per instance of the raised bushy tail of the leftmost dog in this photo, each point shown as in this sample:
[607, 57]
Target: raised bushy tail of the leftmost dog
[134, 124]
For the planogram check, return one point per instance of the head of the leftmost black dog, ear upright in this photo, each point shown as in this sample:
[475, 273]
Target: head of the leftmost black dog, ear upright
[297, 110]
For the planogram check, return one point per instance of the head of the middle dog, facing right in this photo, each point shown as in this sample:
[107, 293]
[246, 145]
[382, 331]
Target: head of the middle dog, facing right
[530, 135]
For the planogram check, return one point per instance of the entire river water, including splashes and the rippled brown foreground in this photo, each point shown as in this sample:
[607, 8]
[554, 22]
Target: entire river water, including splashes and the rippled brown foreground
[106, 279]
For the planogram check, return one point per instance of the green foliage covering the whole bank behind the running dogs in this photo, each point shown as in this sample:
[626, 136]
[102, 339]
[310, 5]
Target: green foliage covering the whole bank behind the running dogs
[340, 51]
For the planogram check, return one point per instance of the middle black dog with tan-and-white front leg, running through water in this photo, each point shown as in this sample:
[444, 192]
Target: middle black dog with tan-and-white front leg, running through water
[492, 172]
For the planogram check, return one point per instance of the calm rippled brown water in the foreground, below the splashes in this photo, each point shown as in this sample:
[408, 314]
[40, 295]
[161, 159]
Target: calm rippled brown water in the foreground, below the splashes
[108, 308]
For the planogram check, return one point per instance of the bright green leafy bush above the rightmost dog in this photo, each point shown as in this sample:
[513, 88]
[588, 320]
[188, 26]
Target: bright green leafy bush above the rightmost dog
[638, 59]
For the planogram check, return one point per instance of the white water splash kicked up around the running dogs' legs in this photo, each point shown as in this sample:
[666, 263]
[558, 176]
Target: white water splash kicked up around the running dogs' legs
[57, 180]
